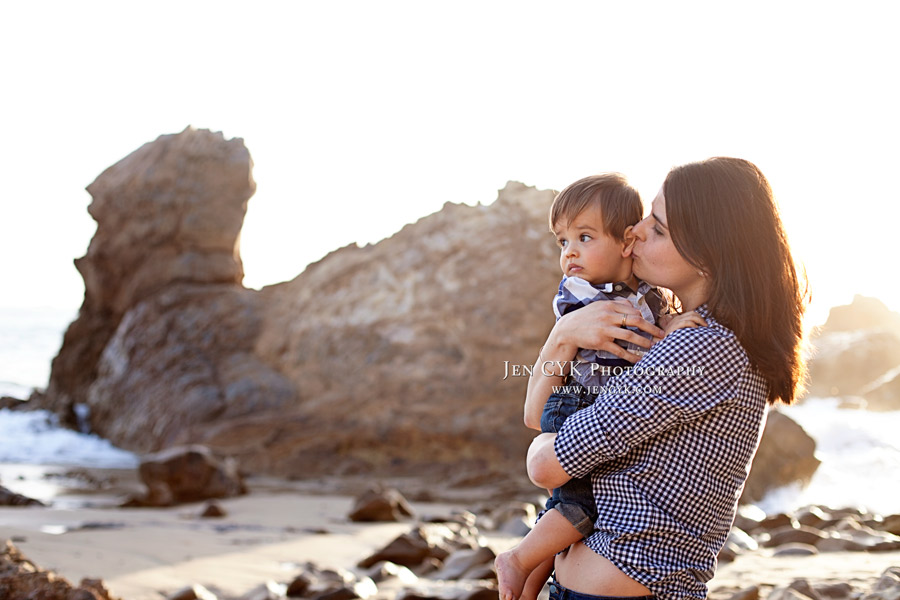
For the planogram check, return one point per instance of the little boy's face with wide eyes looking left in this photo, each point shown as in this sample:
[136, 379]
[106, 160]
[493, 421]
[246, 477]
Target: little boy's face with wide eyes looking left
[588, 252]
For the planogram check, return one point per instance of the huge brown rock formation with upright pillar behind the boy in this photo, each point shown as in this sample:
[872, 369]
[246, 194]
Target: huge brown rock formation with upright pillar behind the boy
[388, 358]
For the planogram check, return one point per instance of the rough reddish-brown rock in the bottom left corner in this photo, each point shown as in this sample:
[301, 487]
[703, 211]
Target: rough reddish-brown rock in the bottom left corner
[21, 578]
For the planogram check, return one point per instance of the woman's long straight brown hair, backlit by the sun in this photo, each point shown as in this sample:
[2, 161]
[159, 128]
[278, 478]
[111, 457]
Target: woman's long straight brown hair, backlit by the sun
[724, 221]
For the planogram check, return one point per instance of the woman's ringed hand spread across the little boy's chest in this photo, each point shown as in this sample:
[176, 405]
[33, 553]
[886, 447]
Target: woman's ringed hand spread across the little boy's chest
[597, 326]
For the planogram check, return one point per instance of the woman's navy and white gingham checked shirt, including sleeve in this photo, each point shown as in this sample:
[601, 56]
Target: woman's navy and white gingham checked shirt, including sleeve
[668, 452]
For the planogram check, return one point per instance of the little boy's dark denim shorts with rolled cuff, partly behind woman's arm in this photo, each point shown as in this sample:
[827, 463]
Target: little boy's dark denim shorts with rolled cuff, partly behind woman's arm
[574, 500]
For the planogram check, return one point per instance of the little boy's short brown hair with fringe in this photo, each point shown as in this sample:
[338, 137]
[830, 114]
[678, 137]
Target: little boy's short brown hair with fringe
[619, 203]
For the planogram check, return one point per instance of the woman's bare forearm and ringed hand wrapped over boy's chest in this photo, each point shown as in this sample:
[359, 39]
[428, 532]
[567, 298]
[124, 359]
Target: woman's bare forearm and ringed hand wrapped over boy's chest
[596, 326]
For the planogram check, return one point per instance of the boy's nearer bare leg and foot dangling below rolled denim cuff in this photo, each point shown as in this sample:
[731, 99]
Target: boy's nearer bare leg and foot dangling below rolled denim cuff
[551, 534]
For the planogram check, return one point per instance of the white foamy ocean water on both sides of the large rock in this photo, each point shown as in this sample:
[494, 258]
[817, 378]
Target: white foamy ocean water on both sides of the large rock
[859, 450]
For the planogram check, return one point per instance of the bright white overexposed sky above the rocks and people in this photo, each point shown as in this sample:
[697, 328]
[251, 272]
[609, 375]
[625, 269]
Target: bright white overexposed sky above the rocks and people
[364, 116]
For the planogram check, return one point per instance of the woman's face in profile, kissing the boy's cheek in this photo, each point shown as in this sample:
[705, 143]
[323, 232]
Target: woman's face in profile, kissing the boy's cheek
[658, 262]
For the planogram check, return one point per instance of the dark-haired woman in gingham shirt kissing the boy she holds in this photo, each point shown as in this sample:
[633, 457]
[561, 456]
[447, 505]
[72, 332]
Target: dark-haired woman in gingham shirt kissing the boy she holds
[670, 450]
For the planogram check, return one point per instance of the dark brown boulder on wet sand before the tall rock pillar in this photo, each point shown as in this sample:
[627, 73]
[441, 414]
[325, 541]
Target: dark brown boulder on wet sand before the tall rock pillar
[187, 474]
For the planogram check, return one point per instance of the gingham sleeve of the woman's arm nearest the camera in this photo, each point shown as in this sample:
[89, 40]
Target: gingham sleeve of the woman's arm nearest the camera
[691, 371]
